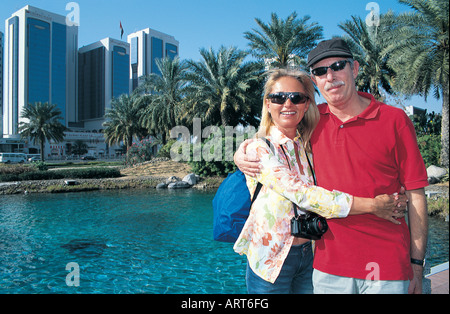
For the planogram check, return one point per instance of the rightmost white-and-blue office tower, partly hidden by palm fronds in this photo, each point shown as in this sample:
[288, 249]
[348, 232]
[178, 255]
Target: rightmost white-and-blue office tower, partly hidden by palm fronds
[146, 46]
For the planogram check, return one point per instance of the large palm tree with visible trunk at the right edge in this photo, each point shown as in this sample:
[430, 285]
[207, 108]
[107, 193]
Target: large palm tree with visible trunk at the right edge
[419, 53]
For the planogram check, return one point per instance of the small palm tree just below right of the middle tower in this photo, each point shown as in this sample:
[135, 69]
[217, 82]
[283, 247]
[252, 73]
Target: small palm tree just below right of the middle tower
[122, 120]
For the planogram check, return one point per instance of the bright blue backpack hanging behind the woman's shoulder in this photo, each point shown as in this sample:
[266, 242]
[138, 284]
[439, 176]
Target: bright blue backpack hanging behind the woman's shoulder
[231, 206]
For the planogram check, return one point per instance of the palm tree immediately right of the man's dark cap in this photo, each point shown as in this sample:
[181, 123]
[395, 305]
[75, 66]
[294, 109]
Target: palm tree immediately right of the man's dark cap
[367, 43]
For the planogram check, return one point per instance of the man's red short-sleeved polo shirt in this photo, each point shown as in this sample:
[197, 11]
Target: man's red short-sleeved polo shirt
[373, 153]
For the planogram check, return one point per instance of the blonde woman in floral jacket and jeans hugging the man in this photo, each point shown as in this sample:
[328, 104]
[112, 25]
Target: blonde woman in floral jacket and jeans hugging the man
[277, 261]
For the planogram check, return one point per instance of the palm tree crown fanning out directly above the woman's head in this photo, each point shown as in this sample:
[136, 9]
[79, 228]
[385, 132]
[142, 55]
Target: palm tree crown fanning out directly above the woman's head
[284, 41]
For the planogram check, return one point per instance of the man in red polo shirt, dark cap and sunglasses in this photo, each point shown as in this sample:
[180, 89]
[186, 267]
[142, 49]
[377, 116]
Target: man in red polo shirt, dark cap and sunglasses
[365, 148]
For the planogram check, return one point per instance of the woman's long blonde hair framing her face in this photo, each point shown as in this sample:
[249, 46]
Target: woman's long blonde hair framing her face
[311, 117]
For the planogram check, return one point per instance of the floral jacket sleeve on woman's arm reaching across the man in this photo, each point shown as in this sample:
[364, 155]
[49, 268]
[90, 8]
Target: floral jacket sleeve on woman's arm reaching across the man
[277, 176]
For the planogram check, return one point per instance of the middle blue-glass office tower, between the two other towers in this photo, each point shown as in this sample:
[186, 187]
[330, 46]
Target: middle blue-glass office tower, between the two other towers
[103, 74]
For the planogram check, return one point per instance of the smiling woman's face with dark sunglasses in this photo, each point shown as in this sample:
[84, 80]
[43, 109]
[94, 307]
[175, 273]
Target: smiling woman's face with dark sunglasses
[287, 116]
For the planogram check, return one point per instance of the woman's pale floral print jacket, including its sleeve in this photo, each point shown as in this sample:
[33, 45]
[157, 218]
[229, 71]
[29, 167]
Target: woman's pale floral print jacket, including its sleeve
[266, 238]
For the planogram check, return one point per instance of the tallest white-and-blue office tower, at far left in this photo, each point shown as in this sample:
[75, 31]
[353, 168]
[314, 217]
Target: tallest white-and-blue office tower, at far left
[40, 64]
